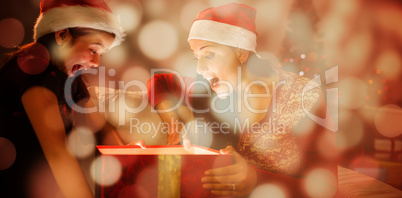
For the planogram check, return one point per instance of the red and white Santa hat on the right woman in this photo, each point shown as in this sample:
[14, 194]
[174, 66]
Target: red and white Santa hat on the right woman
[230, 24]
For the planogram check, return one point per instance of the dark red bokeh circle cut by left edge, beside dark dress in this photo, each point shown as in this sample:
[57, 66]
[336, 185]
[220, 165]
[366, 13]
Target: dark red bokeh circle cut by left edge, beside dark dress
[7, 154]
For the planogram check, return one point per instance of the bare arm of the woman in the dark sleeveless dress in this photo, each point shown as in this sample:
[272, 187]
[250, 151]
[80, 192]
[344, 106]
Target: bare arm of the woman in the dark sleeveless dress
[42, 109]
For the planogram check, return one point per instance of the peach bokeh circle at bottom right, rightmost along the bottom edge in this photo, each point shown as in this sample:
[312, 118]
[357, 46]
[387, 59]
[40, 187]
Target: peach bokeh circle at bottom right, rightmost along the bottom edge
[320, 183]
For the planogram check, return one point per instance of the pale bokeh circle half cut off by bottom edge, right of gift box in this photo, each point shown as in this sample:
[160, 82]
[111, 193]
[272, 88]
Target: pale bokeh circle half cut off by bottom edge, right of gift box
[270, 190]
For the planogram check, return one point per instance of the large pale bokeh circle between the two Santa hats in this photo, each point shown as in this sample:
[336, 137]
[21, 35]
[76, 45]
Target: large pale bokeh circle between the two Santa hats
[158, 40]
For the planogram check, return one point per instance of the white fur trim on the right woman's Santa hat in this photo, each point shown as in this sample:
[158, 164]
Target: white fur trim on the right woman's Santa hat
[223, 33]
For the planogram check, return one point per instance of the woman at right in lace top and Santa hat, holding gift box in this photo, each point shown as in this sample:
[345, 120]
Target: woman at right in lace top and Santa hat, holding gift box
[272, 148]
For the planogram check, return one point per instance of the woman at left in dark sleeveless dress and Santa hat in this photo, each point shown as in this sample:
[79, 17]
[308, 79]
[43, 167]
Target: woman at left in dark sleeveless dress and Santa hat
[35, 115]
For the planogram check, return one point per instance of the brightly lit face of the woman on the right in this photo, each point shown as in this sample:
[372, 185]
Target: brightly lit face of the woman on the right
[218, 64]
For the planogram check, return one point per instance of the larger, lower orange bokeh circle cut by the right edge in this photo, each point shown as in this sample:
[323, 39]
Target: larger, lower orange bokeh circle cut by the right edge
[388, 120]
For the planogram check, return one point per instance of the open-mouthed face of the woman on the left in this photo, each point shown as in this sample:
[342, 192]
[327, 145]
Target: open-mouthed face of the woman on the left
[85, 52]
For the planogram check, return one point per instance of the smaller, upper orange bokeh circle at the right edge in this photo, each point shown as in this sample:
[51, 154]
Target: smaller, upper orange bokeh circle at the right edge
[390, 64]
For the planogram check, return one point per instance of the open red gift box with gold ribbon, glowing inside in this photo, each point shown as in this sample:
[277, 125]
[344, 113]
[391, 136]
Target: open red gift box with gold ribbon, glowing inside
[156, 171]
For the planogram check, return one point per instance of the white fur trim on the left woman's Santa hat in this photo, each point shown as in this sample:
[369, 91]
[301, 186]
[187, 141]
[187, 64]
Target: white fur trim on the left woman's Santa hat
[64, 17]
